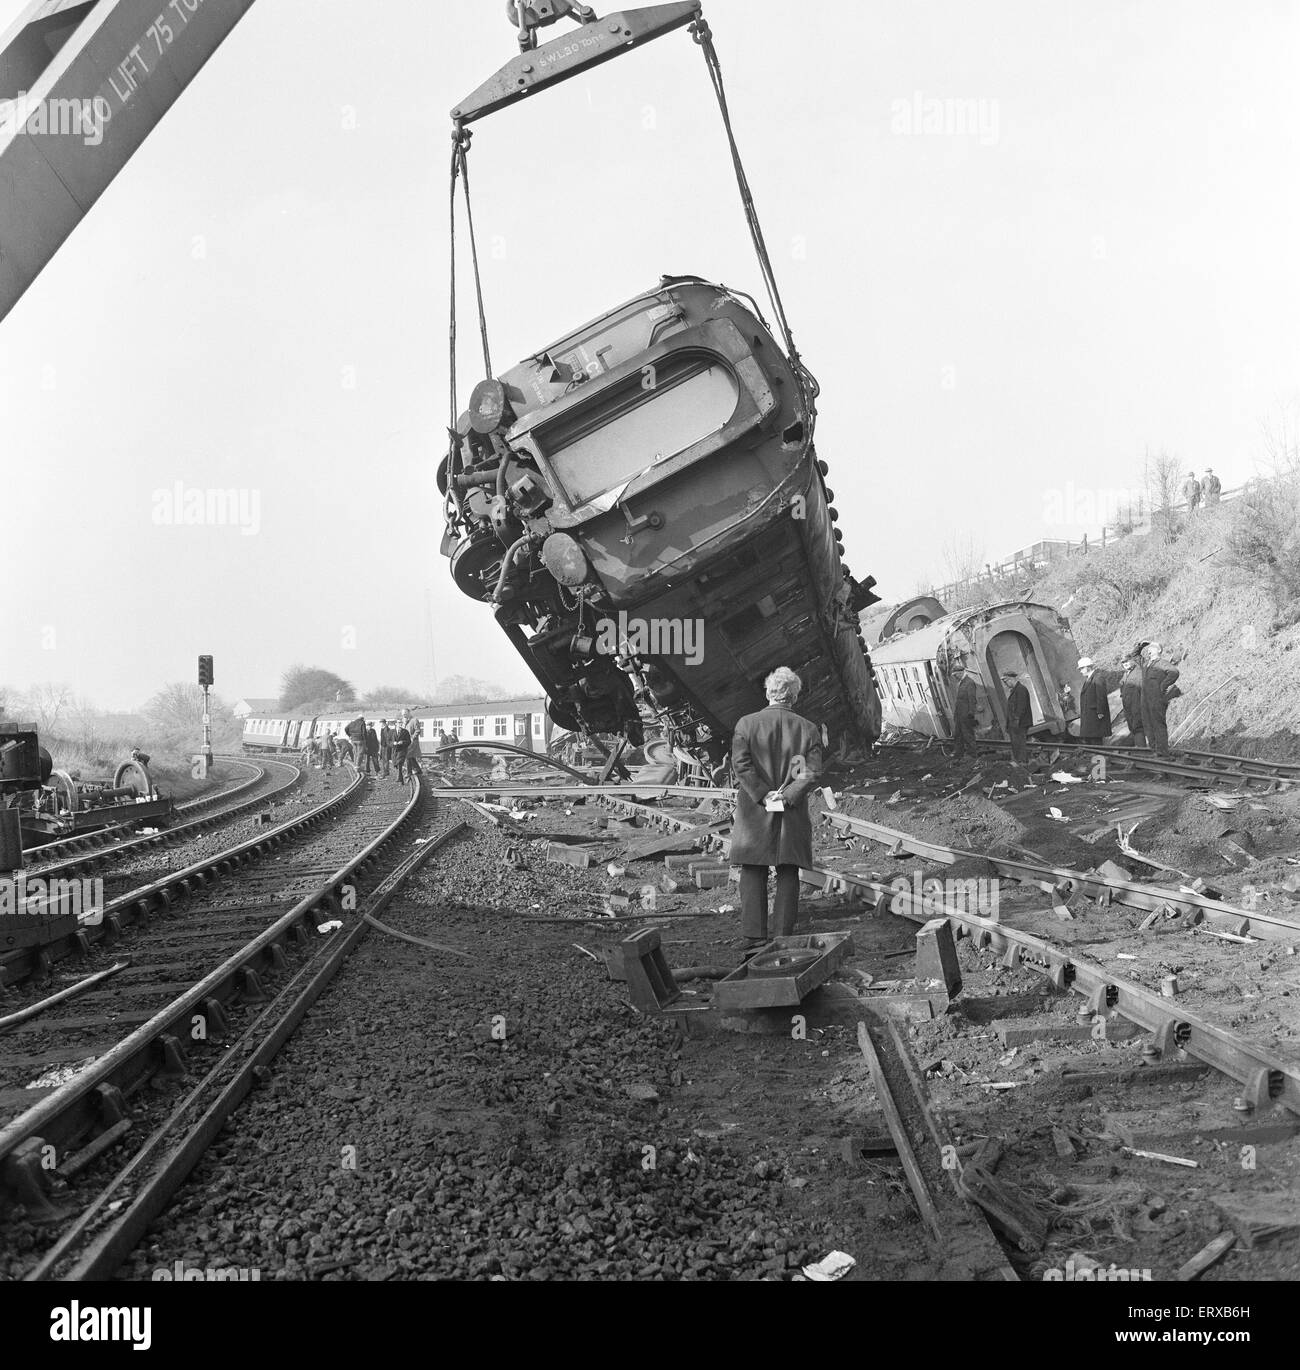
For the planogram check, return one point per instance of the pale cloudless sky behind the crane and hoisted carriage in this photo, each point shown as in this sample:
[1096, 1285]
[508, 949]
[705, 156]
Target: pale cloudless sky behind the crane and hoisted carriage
[1020, 245]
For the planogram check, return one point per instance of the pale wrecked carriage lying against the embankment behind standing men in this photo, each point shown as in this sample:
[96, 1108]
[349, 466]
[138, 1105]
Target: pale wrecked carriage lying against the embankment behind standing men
[918, 671]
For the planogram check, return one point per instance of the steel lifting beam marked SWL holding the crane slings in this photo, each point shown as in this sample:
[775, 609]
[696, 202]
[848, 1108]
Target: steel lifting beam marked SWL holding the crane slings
[575, 53]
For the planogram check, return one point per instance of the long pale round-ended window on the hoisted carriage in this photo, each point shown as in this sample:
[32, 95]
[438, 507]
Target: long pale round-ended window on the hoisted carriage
[635, 425]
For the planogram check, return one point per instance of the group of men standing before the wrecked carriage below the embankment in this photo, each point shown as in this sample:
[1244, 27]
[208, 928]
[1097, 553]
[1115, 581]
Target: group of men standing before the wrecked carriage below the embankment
[1147, 687]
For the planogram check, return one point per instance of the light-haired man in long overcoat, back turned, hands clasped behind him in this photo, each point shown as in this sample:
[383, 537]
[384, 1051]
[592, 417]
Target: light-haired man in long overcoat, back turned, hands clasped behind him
[777, 758]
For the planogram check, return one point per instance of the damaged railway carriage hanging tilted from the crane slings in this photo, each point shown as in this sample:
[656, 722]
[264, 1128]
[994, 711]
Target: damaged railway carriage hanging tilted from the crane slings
[642, 506]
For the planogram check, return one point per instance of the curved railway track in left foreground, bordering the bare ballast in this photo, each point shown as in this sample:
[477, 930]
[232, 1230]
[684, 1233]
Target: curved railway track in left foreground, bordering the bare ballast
[246, 962]
